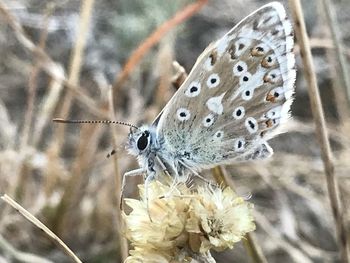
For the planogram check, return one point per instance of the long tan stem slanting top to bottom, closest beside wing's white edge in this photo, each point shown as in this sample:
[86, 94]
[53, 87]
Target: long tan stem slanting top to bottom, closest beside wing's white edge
[321, 130]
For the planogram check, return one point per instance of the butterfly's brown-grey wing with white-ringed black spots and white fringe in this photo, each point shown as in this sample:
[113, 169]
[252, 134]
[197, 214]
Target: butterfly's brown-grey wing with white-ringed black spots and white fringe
[238, 92]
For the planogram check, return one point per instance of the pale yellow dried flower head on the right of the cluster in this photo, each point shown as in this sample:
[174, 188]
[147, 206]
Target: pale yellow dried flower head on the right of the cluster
[218, 219]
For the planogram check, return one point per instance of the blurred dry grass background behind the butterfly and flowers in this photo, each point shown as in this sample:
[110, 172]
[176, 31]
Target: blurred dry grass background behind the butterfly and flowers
[50, 68]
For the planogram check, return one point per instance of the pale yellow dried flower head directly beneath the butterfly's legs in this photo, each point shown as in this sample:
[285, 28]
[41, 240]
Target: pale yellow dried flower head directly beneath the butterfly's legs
[161, 225]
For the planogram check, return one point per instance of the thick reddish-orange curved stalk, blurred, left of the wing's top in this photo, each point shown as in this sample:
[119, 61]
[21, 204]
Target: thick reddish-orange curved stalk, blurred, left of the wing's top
[154, 38]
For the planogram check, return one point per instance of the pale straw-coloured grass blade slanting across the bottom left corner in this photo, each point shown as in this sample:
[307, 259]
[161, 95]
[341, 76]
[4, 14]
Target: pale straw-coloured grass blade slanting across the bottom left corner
[41, 226]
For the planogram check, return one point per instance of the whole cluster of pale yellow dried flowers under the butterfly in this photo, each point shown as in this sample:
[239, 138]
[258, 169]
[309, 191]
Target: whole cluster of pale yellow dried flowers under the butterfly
[181, 221]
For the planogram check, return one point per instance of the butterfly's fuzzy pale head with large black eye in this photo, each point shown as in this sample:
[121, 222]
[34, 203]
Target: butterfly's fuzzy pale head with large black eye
[141, 140]
